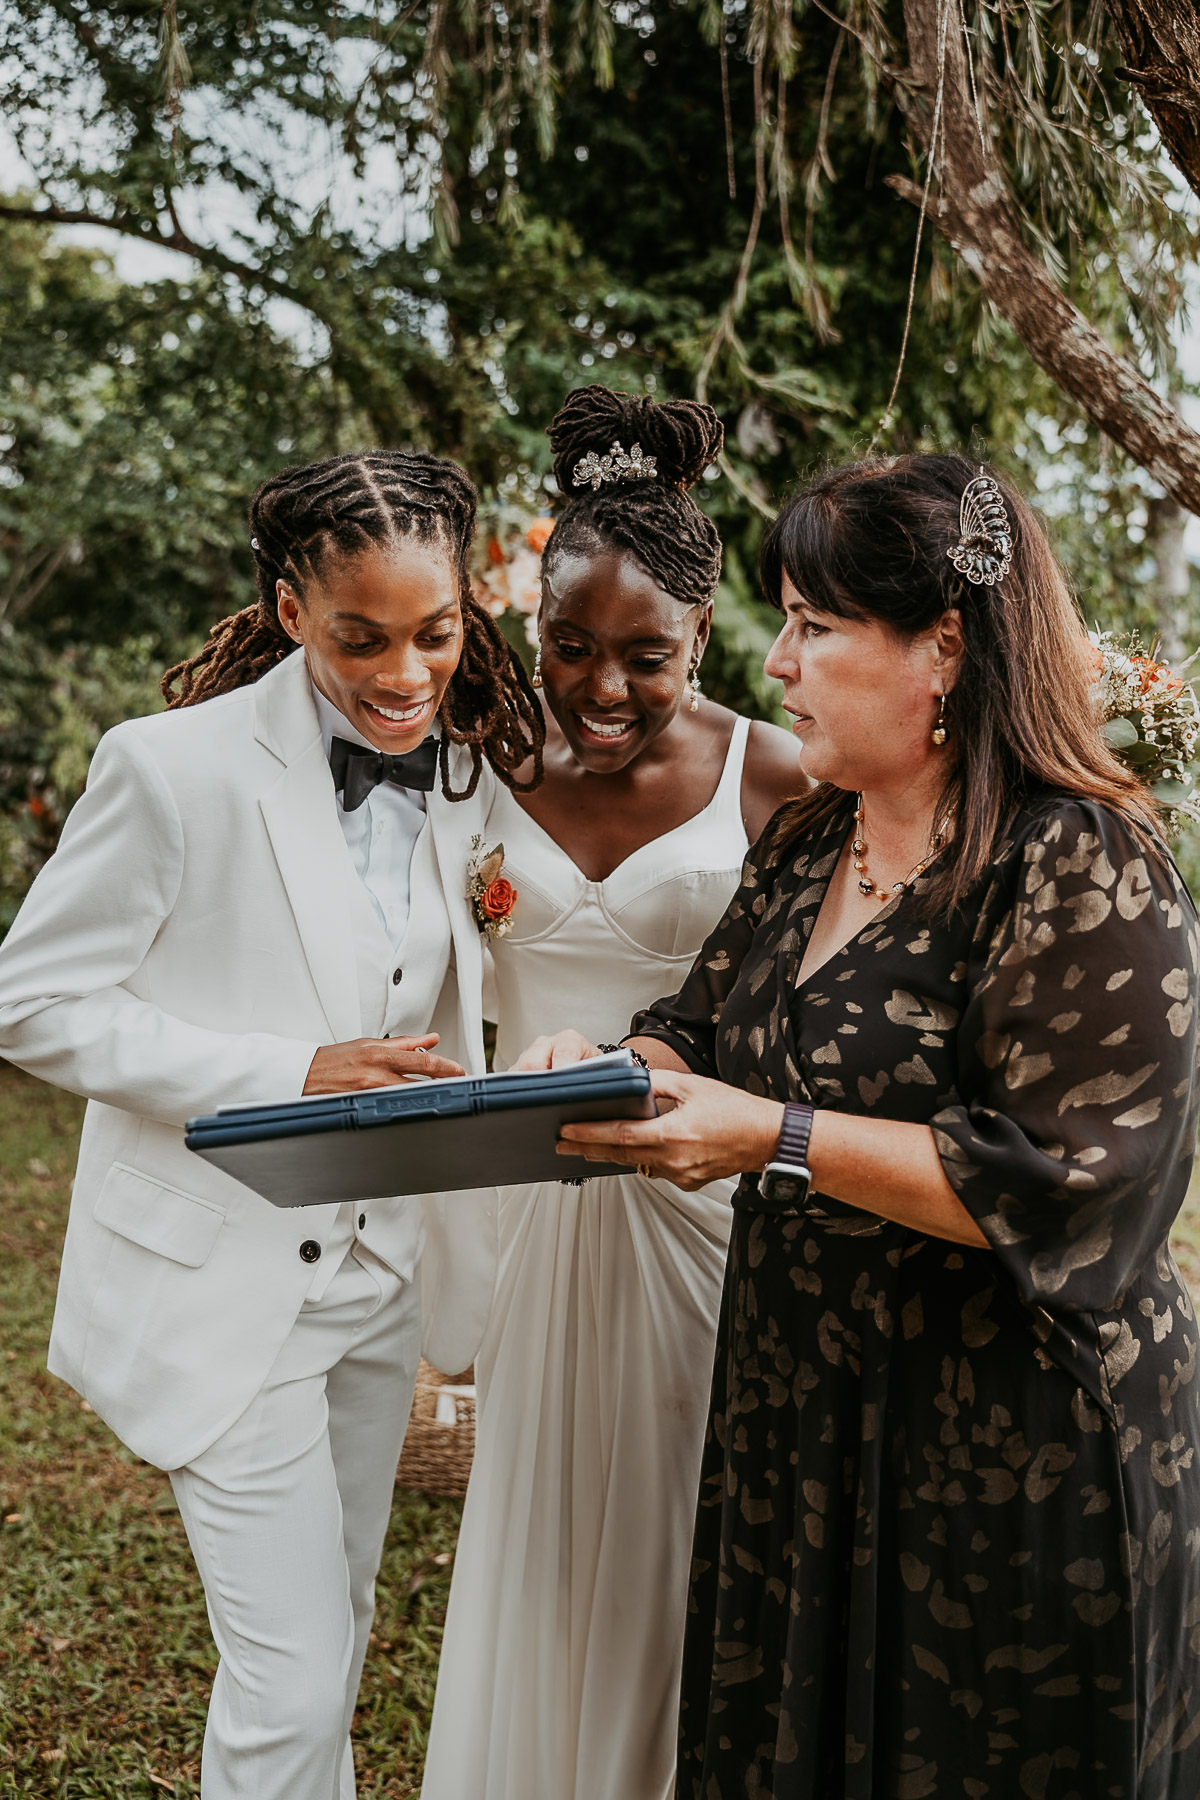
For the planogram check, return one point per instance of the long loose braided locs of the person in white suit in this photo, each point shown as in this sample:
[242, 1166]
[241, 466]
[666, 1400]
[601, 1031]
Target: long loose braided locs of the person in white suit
[307, 517]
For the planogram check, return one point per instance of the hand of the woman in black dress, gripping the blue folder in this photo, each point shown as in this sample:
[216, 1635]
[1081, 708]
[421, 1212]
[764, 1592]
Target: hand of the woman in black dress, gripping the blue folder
[704, 1131]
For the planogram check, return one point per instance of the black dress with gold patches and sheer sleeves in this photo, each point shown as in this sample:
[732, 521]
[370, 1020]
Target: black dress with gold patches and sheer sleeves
[949, 1531]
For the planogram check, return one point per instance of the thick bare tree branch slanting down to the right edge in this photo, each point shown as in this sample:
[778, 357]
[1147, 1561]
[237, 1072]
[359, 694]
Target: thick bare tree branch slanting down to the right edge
[976, 215]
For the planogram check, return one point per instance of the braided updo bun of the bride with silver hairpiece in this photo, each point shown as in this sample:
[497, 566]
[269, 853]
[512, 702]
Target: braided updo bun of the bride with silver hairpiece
[656, 521]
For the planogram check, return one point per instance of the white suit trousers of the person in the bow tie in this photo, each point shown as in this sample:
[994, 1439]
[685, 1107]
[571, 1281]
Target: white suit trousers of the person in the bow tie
[287, 1516]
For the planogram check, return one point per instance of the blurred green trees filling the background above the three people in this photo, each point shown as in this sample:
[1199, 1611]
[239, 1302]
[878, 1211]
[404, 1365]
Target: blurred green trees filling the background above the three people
[238, 238]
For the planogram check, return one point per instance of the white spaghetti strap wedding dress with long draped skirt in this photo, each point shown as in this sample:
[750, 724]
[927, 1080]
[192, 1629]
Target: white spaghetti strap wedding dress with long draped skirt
[562, 1653]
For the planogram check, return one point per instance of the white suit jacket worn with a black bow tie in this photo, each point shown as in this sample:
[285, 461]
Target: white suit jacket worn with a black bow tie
[186, 948]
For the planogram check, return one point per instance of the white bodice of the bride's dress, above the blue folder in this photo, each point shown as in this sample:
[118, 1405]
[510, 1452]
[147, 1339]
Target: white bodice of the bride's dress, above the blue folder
[589, 955]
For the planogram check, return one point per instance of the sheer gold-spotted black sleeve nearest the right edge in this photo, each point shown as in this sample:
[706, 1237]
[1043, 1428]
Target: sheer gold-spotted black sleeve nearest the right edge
[1073, 1128]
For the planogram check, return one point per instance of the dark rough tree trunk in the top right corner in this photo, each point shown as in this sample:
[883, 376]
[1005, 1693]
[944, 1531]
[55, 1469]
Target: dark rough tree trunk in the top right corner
[1163, 44]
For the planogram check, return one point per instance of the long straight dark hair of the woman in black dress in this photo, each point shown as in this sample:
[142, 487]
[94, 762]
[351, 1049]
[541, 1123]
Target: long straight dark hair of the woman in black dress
[870, 543]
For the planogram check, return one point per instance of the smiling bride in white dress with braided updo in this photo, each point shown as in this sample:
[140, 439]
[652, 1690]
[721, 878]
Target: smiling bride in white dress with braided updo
[560, 1662]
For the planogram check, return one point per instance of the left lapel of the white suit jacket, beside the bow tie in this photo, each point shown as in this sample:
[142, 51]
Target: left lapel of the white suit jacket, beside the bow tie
[301, 818]
